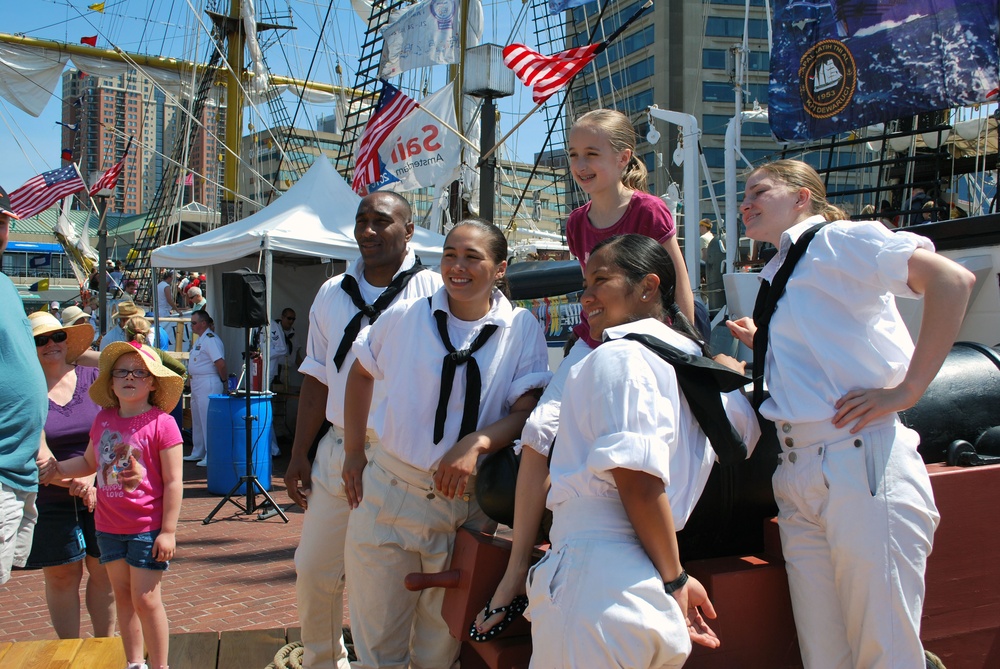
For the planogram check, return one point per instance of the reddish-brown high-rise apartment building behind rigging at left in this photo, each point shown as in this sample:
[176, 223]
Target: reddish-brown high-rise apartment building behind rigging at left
[109, 110]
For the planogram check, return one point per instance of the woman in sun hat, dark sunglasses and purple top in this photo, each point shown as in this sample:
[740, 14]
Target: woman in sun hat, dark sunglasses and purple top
[65, 537]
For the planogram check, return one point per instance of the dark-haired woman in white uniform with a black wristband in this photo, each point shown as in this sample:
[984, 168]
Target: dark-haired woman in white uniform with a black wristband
[627, 469]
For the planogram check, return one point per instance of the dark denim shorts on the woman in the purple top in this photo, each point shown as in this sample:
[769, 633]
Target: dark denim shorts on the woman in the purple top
[64, 534]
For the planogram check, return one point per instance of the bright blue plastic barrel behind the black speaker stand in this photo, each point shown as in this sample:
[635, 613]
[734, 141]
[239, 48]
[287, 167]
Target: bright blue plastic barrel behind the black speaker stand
[227, 441]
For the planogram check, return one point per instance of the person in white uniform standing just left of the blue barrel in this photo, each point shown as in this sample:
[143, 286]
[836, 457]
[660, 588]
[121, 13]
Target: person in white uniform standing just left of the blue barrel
[207, 372]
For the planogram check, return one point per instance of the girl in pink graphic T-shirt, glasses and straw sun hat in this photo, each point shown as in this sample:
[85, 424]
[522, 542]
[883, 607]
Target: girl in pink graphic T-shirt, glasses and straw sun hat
[135, 450]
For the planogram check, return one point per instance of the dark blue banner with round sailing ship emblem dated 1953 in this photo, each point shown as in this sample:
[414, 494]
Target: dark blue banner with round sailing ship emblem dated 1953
[838, 65]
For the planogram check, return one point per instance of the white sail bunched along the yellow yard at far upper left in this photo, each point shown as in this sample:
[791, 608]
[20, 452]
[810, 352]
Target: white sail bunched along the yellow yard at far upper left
[30, 76]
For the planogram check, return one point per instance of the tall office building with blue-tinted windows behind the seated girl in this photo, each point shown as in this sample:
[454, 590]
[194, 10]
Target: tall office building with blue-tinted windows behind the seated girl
[679, 56]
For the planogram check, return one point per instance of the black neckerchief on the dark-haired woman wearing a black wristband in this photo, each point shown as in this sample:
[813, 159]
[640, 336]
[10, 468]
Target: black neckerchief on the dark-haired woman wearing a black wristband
[703, 381]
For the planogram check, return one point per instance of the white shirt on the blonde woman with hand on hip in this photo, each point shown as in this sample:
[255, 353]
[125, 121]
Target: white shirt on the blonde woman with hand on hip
[836, 328]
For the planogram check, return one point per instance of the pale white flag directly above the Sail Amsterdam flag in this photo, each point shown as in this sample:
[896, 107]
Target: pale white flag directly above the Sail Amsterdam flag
[426, 34]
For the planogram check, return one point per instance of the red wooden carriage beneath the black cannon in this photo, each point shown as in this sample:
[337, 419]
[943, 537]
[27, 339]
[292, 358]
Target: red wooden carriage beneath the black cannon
[961, 621]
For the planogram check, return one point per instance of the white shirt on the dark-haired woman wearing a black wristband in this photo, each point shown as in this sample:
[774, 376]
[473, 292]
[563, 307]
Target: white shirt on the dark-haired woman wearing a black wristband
[622, 408]
